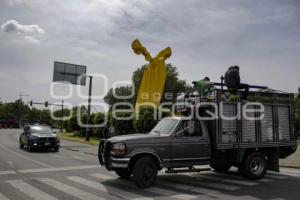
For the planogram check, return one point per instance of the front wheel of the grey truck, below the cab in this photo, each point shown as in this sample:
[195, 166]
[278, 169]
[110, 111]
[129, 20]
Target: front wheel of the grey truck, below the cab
[145, 172]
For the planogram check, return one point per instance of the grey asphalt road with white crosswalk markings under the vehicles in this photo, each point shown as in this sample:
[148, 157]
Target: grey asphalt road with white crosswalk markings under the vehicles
[77, 176]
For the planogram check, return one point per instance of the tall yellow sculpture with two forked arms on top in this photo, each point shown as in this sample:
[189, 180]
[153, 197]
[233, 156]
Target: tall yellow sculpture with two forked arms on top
[154, 76]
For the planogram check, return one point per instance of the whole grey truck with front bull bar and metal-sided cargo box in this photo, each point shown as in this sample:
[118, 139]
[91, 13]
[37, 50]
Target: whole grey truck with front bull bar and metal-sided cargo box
[180, 144]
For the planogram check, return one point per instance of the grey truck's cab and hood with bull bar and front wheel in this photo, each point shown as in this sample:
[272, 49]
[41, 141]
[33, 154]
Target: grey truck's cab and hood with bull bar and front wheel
[174, 142]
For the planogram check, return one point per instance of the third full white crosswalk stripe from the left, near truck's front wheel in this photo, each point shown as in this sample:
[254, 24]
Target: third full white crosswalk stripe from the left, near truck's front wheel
[106, 188]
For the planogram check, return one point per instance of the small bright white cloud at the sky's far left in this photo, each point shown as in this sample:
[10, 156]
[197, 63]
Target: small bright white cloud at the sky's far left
[31, 33]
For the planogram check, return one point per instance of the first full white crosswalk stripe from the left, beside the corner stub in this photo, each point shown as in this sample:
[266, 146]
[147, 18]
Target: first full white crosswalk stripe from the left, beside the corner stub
[31, 191]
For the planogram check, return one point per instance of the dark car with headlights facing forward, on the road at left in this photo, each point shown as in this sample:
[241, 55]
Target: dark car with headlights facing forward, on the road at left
[39, 137]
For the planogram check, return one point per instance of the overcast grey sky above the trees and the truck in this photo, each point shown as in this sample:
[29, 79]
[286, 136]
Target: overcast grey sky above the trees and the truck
[206, 37]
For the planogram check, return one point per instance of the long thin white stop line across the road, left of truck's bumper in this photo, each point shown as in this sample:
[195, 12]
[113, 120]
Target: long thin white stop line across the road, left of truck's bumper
[25, 171]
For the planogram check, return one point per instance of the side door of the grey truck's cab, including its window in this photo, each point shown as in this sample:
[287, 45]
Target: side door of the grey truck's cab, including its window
[190, 142]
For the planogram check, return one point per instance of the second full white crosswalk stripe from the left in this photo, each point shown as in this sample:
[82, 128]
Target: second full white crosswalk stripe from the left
[75, 192]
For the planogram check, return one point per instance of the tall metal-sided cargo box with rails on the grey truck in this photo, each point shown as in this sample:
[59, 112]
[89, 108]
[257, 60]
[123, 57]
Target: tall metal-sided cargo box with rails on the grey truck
[273, 125]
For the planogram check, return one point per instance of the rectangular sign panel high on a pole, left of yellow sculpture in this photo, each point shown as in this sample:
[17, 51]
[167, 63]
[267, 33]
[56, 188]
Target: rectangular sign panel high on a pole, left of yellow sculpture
[66, 72]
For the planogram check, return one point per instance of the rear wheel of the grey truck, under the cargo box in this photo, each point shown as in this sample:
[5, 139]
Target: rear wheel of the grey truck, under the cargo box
[254, 166]
